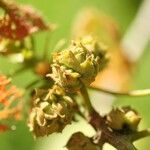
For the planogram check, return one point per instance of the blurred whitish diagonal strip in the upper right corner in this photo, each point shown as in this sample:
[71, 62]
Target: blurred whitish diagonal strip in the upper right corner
[138, 34]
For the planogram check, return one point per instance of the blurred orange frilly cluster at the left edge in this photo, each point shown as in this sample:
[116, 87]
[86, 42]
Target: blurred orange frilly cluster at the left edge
[9, 94]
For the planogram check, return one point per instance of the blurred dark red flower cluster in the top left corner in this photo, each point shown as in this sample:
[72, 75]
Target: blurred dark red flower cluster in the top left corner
[20, 21]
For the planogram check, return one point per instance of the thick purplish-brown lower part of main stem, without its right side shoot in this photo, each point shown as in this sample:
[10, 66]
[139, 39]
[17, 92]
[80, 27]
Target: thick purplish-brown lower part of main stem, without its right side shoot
[117, 140]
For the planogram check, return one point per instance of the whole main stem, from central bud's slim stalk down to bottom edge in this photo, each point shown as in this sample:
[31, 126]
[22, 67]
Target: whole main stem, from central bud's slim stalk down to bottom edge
[97, 121]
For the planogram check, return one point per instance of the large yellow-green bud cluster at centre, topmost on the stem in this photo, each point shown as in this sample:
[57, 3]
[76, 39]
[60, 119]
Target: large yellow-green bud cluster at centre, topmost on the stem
[79, 63]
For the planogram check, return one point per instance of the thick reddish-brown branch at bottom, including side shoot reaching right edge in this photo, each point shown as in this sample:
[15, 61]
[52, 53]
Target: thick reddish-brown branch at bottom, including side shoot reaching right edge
[119, 140]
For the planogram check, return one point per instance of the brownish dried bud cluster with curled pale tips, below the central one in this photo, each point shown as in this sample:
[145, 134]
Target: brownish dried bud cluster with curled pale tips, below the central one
[51, 112]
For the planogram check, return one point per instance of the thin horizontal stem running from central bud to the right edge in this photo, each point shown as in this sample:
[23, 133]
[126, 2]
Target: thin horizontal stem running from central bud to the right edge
[134, 93]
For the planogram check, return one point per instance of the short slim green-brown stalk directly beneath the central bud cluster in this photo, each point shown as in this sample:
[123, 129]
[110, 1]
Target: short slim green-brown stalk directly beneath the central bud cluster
[86, 98]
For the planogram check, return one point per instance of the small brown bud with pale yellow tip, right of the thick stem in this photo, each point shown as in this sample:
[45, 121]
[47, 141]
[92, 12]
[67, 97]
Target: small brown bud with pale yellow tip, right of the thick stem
[123, 119]
